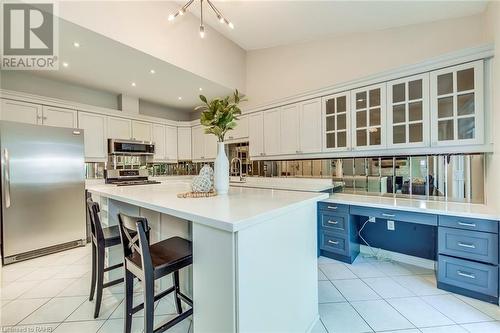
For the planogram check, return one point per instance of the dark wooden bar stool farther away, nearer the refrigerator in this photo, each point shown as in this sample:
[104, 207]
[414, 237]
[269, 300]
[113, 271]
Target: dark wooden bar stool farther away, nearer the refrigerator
[101, 239]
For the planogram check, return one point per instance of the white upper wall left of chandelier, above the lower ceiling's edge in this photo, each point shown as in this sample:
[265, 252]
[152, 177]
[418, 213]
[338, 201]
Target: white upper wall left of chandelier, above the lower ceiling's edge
[137, 24]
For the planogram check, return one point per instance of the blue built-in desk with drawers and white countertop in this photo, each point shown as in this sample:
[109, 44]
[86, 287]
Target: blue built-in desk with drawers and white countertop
[462, 238]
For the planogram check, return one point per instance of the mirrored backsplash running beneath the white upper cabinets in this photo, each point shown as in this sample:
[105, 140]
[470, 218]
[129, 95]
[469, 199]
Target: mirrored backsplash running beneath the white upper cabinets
[458, 178]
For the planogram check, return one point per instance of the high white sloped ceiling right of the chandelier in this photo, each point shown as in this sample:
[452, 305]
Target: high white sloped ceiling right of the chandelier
[262, 24]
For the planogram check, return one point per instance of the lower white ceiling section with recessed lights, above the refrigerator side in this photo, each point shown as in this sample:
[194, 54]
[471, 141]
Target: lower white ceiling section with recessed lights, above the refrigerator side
[106, 64]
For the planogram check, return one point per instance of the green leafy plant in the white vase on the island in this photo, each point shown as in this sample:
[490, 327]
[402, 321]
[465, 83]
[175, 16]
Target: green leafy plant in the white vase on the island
[220, 114]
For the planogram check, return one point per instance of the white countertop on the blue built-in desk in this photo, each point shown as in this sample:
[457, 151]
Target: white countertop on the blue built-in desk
[419, 206]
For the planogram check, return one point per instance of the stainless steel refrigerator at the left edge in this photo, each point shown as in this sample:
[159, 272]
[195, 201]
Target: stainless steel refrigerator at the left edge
[43, 190]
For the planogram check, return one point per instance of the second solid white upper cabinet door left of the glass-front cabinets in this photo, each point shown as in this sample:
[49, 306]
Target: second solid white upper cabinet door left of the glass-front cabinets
[289, 142]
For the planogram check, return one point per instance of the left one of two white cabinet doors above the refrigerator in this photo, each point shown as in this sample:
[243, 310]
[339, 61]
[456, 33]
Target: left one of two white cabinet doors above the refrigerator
[22, 112]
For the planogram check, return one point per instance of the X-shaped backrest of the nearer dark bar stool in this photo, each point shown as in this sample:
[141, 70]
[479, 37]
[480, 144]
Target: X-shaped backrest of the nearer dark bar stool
[134, 234]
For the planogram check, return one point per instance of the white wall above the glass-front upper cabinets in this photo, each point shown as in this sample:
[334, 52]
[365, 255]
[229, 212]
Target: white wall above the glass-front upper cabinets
[284, 71]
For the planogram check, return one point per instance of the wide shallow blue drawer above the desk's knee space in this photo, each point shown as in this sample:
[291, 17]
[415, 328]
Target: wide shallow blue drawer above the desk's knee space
[396, 215]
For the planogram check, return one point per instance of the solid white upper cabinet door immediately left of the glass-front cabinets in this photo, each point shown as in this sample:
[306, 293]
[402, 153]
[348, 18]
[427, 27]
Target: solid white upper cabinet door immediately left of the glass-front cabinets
[310, 126]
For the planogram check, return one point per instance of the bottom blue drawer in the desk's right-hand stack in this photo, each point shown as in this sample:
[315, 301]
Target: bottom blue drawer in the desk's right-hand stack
[469, 275]
